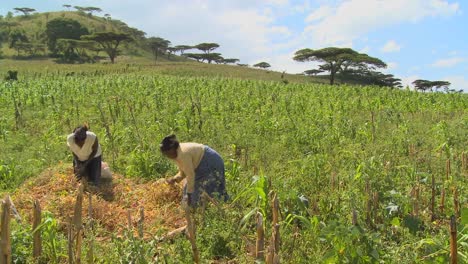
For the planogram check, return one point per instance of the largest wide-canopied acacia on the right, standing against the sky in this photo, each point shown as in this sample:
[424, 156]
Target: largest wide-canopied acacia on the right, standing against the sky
[338, 59]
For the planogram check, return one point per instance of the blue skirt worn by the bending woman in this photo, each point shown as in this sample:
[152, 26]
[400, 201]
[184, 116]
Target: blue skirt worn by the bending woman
[209, 178]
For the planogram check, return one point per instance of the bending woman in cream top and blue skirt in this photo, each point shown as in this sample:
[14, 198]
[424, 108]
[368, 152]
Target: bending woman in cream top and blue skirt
[202, 166]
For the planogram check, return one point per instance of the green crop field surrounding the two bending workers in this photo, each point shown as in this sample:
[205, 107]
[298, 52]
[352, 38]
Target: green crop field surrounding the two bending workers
[353, 167]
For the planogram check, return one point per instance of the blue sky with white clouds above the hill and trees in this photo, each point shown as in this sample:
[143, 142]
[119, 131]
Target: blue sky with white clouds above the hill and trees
[418, 39]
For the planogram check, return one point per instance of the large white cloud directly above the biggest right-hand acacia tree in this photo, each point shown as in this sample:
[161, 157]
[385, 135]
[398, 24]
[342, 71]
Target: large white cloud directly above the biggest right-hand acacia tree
[351, 19]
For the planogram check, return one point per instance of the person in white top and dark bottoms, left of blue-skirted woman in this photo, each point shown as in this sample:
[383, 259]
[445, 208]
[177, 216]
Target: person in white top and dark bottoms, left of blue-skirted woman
[86, 154]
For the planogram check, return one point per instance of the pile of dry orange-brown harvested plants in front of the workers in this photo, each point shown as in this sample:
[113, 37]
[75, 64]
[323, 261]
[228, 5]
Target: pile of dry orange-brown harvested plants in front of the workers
[56, 190]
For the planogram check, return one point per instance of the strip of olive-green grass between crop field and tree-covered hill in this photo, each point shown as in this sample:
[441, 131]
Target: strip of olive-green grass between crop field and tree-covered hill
[136, 64]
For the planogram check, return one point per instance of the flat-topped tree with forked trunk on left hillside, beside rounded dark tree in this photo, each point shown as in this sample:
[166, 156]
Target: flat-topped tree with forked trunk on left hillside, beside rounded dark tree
[109, 41]
